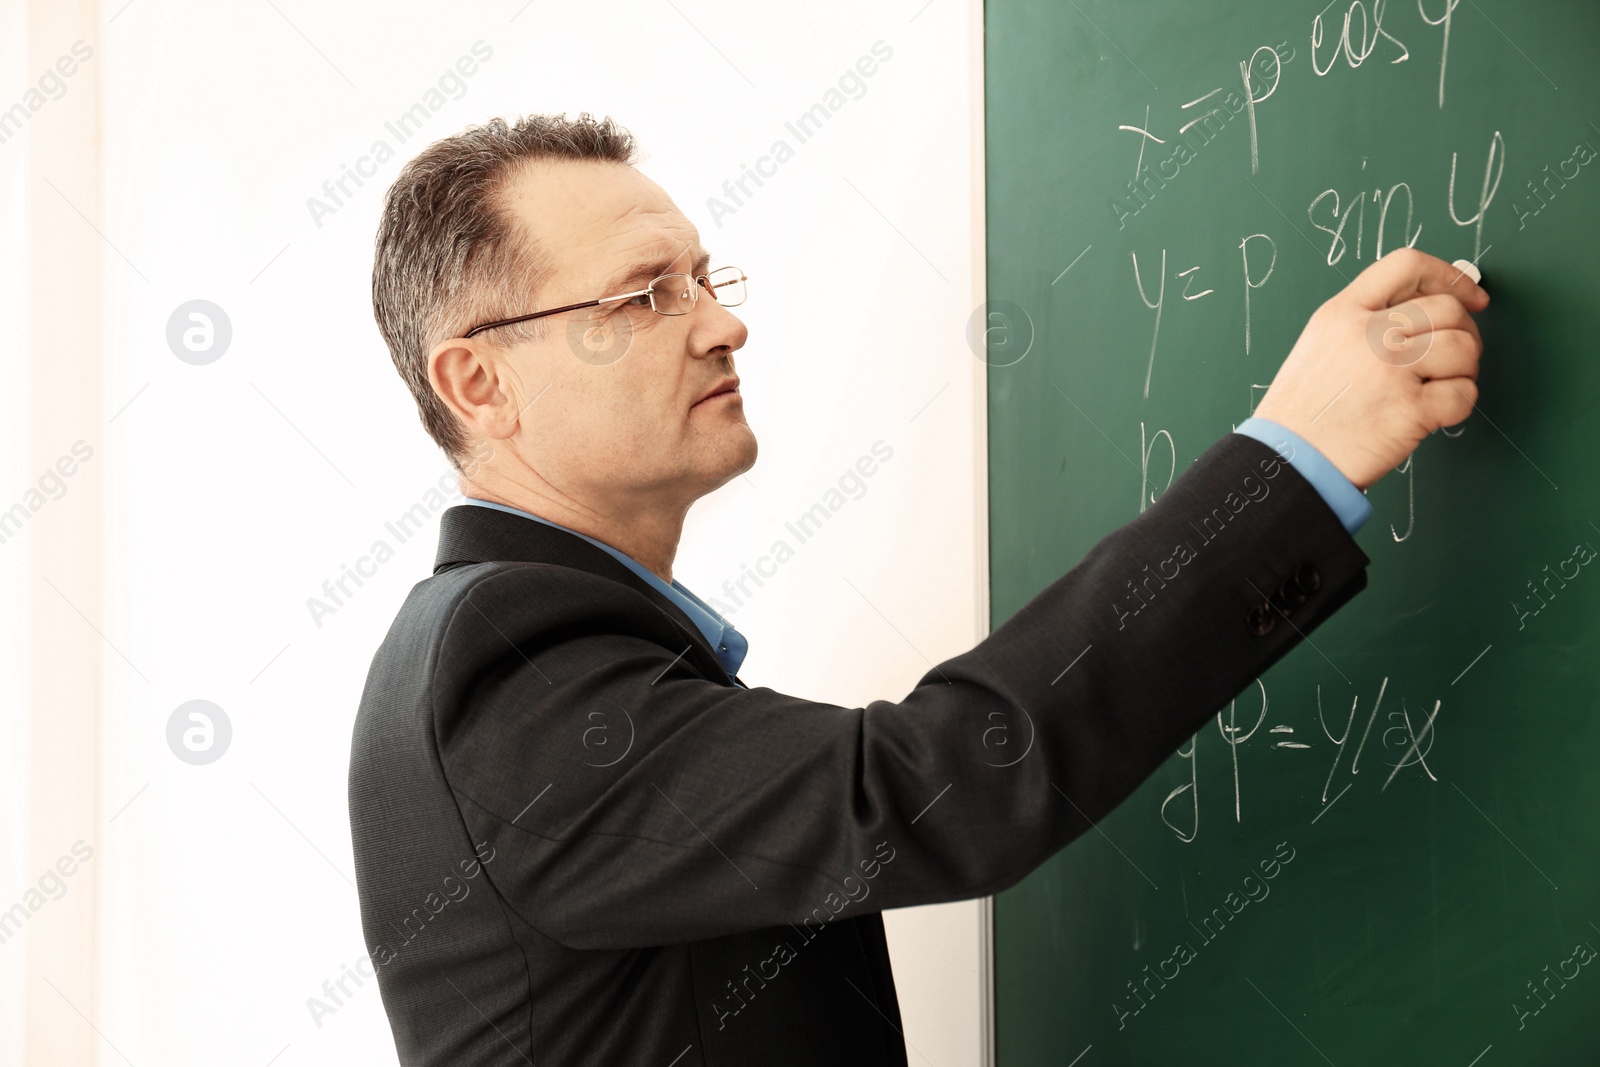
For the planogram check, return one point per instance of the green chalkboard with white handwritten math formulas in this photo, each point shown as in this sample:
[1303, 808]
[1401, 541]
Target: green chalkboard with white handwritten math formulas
[1438, 900]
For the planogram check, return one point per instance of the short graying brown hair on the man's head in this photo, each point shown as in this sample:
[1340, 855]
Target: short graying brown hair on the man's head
[449, 255]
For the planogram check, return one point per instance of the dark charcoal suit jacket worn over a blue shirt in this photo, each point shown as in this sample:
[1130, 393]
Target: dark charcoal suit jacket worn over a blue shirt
[578, 842]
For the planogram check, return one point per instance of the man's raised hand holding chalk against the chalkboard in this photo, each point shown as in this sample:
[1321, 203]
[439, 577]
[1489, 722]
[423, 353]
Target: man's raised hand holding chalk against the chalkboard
[1383, 364]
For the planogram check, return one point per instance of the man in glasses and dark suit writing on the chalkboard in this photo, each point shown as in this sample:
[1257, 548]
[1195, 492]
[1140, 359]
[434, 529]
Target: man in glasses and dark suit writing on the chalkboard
[580, 837]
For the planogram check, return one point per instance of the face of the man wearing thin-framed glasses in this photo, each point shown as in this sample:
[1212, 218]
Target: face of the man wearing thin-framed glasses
[618, 404]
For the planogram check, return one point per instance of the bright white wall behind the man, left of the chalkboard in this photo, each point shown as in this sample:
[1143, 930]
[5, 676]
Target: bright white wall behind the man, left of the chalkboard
[239, 487]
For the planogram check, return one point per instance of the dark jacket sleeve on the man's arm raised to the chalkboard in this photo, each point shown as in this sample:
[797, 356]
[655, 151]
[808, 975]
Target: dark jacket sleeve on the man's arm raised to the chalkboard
[633, 802]
